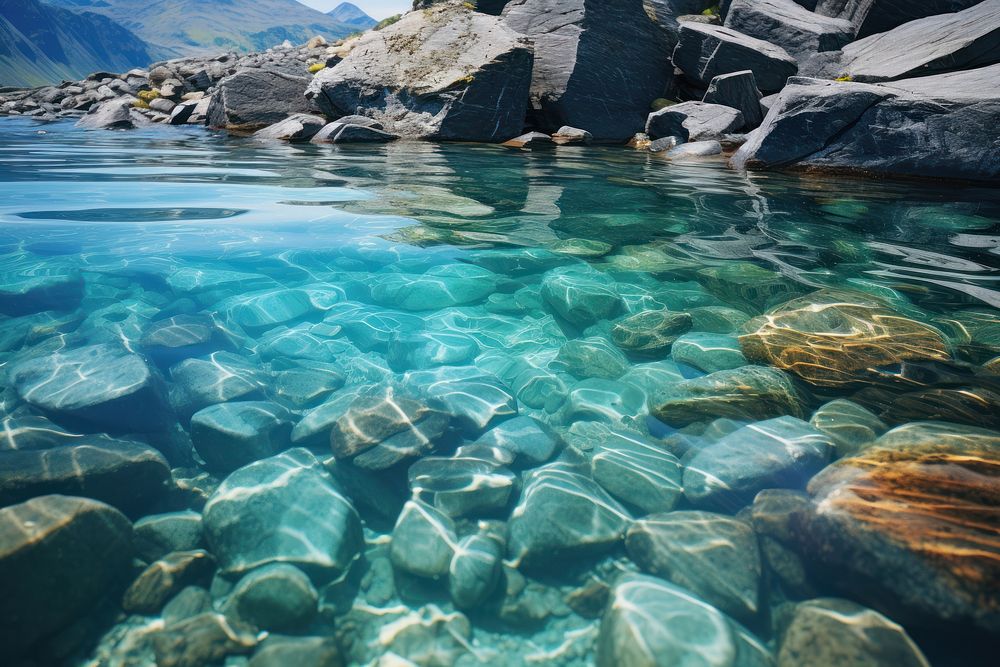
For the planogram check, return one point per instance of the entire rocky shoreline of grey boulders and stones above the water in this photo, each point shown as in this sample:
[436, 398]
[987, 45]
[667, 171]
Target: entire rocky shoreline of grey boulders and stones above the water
[818, 85]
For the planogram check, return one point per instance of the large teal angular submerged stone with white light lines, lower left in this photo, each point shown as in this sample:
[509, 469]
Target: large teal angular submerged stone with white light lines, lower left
[285, 509]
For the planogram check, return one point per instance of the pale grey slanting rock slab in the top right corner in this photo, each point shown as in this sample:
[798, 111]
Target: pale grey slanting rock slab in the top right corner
[933, 45]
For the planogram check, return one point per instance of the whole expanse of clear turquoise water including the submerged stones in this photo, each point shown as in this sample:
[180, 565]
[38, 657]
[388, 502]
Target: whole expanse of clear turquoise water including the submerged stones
[446, 404]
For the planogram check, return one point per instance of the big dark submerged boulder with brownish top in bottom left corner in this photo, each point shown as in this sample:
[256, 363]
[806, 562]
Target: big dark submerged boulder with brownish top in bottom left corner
[45, 546]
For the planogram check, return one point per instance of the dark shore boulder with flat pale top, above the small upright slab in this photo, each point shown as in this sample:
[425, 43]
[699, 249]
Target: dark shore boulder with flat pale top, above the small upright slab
[706, 51]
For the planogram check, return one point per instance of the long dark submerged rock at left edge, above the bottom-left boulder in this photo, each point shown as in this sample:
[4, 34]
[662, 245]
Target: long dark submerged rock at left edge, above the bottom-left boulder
[126, 475]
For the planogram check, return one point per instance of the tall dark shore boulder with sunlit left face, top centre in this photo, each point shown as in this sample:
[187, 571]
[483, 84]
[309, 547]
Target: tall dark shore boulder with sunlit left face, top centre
[598, 64]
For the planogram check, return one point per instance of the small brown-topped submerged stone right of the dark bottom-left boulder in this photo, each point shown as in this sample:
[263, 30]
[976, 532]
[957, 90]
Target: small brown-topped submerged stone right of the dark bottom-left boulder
[165, 578]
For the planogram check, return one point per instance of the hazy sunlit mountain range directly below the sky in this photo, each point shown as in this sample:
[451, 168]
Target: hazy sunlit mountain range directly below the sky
[188, 27]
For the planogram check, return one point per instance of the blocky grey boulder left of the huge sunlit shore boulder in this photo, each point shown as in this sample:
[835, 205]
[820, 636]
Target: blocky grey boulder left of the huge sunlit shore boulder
[255, 98]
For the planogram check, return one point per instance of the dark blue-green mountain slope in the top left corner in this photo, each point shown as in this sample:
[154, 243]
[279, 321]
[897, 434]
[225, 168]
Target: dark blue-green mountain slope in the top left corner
[42, 44]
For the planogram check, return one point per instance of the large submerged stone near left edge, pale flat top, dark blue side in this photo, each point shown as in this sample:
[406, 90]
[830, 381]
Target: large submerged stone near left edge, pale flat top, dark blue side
[99, 385]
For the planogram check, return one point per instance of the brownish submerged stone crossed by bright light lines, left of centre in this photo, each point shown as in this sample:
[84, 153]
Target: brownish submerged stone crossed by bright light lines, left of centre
[382, 429]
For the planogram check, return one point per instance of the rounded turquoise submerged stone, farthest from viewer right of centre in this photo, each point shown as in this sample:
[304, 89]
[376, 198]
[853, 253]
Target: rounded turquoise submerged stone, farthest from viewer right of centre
[580, 297]
